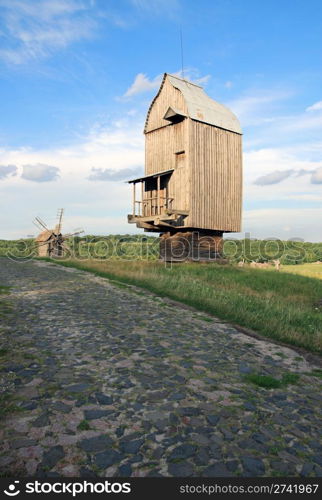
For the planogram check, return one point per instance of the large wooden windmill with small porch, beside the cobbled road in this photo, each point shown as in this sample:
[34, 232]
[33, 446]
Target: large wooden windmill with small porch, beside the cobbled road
[191, 192]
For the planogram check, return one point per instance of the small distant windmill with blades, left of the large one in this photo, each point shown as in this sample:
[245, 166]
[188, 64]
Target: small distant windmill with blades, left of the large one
[50, 242]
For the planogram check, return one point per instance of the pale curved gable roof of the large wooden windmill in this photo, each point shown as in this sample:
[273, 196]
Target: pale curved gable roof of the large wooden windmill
[201, 107]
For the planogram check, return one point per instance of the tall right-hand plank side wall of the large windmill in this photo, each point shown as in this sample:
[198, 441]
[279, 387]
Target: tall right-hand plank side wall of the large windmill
[216, 177]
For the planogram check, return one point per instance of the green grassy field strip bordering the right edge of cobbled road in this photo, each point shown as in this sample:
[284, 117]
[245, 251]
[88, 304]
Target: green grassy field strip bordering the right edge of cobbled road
[282, 306]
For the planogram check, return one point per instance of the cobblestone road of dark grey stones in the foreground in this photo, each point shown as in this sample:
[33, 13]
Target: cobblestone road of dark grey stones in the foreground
[107, 380]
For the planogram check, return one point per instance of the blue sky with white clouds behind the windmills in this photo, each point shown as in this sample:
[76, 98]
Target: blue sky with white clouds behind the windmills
[77, 77]
